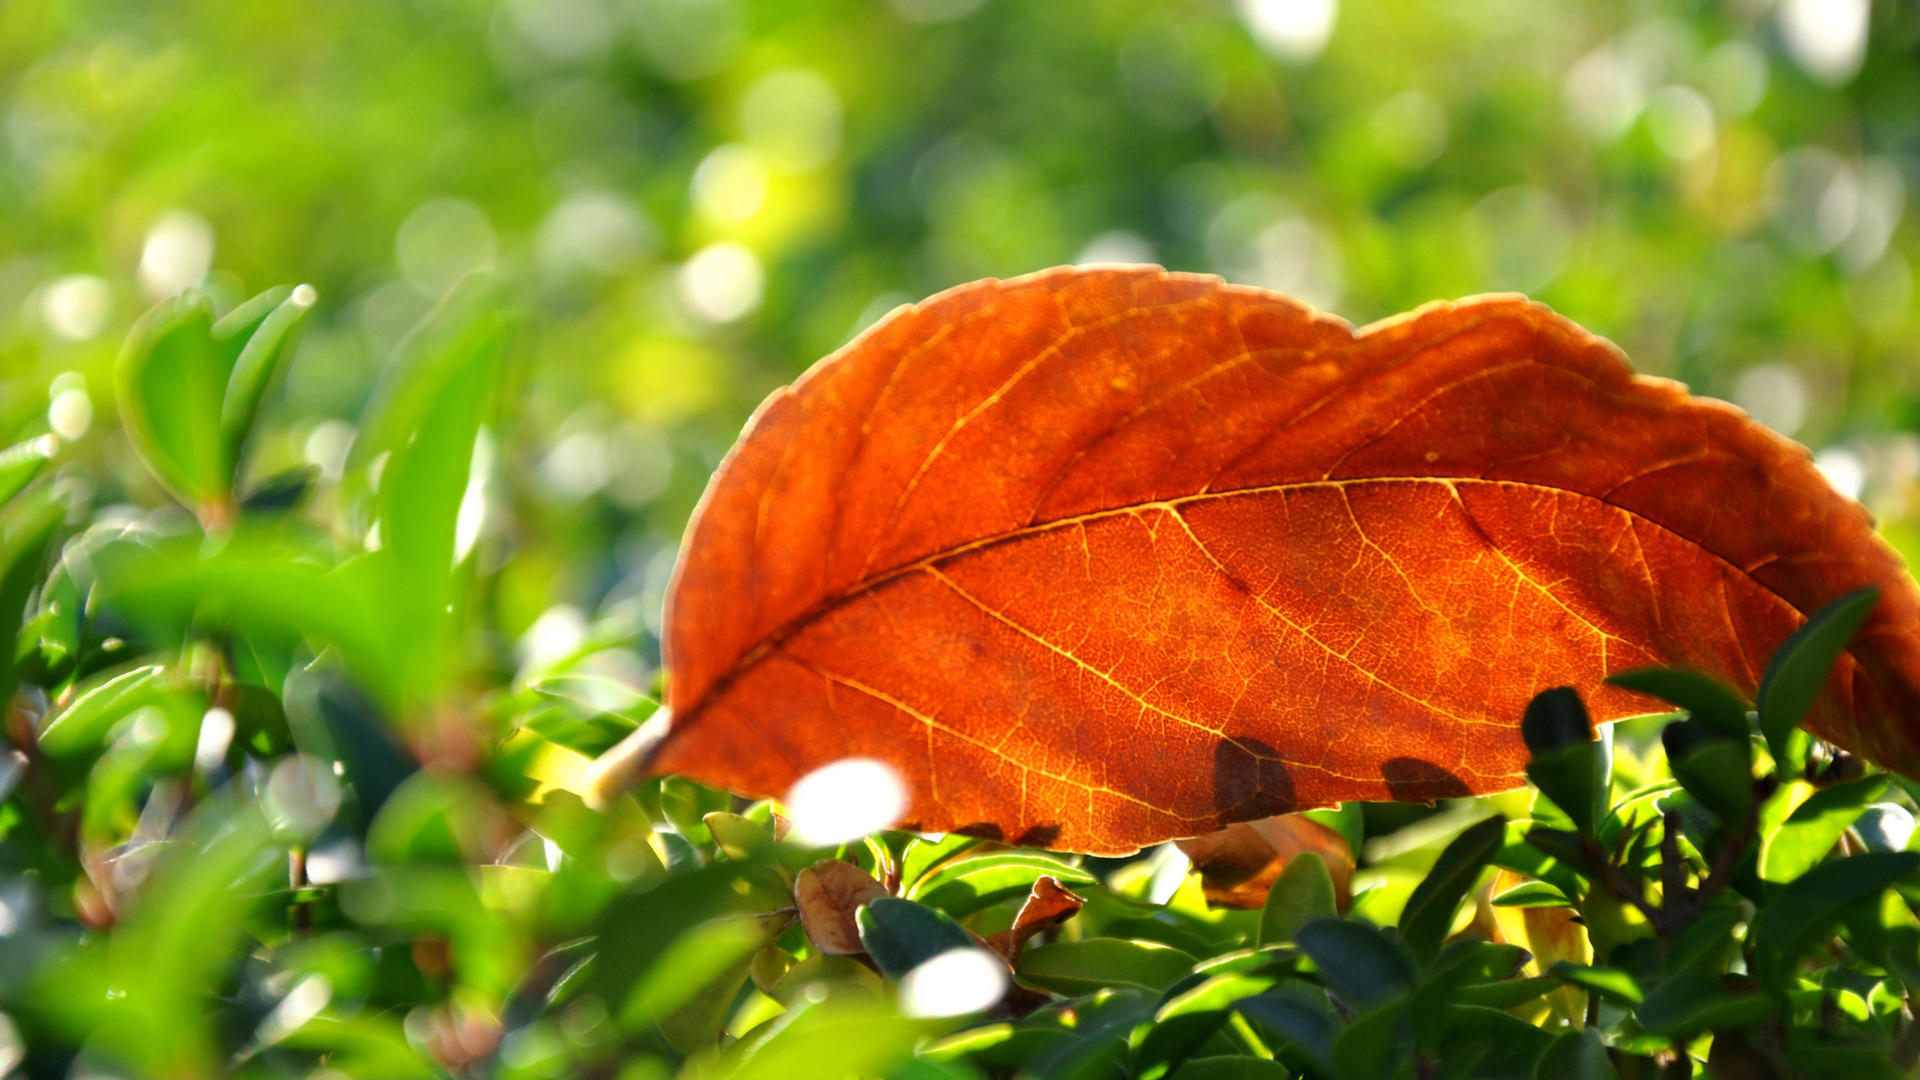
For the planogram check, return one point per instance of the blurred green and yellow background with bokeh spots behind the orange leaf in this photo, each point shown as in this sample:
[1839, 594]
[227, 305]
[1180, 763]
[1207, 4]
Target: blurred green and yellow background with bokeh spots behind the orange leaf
[696, 199]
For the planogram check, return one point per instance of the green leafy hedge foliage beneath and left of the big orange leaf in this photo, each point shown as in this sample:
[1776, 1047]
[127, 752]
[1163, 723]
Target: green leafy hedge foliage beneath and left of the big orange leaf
[277, 804]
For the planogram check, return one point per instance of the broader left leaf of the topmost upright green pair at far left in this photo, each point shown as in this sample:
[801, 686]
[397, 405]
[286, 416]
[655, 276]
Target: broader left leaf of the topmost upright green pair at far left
[170, 381]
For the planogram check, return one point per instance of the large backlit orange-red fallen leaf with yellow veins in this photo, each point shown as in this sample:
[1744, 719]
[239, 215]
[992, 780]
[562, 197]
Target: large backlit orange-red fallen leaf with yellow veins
[1105, 558]
